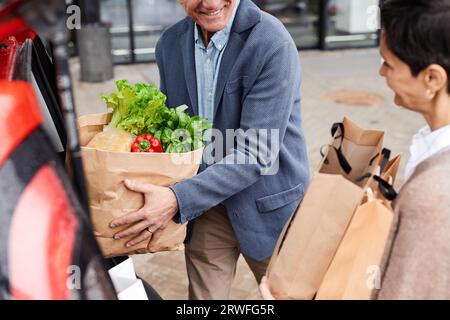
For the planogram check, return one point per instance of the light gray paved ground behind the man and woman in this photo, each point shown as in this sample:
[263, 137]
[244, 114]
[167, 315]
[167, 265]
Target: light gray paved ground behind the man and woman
[323, 73]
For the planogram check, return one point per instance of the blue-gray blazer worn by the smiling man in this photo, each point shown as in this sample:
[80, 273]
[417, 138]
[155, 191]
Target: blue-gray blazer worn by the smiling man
[258, 88]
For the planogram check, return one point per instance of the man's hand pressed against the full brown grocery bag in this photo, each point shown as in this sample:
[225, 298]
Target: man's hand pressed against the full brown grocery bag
[148, 222]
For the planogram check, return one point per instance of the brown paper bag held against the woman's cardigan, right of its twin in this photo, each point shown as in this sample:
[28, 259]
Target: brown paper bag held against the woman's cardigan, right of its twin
[355, 270]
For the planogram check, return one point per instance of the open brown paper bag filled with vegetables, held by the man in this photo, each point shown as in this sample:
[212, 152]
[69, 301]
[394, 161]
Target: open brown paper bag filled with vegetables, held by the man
[109, 198]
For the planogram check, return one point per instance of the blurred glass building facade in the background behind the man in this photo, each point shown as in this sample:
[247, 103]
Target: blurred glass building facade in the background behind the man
[314, 24]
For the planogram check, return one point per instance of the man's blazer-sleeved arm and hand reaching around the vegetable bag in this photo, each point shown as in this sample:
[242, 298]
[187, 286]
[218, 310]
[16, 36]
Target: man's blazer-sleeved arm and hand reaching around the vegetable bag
[267, 106]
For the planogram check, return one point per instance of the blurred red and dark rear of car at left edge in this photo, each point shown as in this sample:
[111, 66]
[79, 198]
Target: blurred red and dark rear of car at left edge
[47, 247]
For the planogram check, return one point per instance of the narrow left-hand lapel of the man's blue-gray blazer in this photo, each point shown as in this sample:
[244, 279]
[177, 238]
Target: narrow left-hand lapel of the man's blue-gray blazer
[187, 44]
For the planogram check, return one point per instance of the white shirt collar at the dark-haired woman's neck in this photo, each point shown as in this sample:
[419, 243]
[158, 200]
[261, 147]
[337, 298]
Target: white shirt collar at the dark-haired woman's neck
[425, 144]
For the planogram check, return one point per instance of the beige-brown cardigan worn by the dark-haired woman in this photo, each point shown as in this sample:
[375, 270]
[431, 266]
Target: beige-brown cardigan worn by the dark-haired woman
[416, 264]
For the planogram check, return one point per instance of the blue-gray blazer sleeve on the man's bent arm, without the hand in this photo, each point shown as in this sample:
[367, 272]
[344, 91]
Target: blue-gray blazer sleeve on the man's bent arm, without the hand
[268, 105]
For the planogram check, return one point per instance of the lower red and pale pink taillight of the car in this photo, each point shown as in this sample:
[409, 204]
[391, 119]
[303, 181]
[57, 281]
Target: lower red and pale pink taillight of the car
[42, 239]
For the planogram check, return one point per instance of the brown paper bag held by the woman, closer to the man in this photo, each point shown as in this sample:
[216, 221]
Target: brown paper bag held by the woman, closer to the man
[310, 239]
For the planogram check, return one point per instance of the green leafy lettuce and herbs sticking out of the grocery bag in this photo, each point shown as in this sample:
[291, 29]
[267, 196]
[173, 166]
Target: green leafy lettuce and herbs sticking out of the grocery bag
[142, 109]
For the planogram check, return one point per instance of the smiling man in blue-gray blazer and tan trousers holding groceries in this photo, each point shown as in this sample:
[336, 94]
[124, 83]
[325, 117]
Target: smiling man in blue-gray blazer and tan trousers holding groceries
[238, 67]
